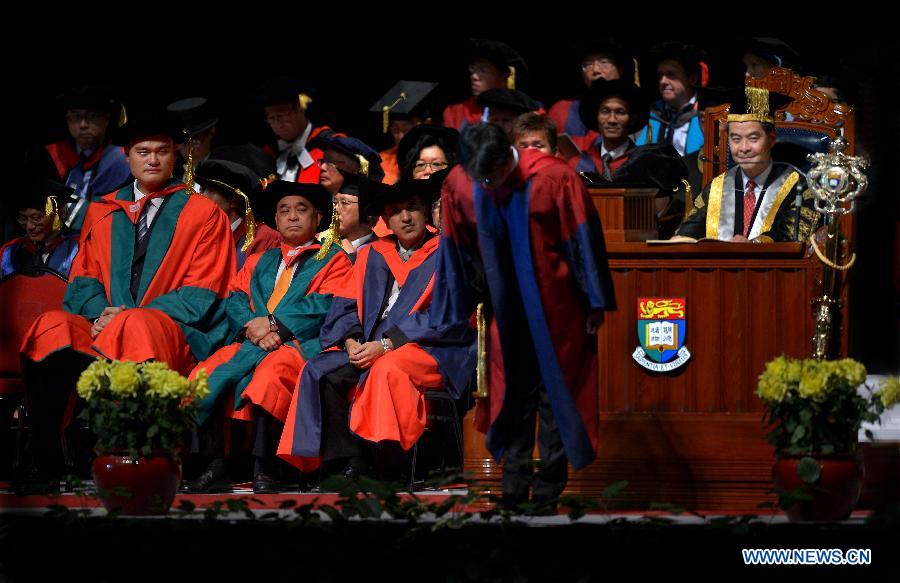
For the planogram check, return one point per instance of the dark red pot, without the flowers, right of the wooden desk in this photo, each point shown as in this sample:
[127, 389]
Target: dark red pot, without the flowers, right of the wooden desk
[834, 494]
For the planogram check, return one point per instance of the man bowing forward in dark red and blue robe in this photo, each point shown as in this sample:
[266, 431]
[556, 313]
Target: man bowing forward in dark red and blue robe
[520, 234]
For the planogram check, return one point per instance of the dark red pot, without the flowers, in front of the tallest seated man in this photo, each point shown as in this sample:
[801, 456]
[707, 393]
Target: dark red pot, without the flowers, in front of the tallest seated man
[141, 487]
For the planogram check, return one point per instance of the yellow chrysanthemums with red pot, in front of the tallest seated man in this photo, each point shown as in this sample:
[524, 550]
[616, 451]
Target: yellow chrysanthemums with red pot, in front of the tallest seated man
[140, 414]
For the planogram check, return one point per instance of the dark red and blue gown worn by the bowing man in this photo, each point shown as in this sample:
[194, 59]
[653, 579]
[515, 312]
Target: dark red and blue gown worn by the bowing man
[536, 243]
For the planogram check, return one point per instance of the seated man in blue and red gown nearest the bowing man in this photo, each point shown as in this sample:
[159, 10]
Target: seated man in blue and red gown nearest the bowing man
[367, 386]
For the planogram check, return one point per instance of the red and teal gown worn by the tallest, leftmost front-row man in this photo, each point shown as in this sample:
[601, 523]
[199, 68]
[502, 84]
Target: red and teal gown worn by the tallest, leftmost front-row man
[178, 316]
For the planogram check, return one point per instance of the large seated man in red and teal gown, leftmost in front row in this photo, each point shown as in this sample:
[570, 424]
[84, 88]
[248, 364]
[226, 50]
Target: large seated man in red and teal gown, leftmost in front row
[148, 283]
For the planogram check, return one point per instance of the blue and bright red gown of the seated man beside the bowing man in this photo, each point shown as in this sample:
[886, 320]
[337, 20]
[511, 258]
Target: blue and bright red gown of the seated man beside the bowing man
[388, 402]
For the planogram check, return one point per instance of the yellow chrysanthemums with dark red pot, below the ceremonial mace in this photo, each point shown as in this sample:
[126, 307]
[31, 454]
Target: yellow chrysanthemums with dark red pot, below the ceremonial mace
[815, 409]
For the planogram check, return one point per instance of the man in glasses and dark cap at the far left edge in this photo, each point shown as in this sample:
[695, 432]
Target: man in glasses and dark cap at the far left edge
[40, 210]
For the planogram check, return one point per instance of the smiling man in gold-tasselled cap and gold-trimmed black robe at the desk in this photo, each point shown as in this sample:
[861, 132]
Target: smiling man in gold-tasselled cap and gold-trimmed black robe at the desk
[758, 199]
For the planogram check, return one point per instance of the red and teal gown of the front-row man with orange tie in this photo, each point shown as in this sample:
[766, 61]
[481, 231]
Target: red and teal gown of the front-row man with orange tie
[267, 379]
